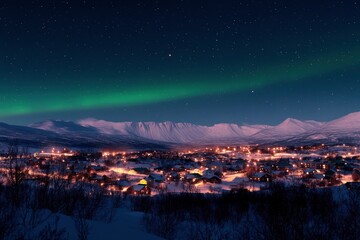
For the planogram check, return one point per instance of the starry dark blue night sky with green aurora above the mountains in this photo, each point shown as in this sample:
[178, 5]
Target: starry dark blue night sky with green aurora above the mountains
[202, 62]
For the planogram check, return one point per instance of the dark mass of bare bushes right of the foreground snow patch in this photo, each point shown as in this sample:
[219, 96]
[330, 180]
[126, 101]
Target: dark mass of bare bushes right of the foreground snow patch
[280, 213]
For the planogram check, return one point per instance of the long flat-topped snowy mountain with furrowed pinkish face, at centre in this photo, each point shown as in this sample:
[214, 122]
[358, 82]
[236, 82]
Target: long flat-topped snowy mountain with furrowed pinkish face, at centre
[173, 132]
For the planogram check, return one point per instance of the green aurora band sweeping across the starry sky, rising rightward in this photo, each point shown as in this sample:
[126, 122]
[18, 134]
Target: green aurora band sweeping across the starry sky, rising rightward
[72, 97]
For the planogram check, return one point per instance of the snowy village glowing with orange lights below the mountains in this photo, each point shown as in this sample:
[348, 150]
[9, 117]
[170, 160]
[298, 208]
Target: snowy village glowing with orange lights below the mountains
[203, 170]
